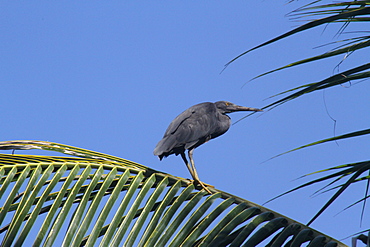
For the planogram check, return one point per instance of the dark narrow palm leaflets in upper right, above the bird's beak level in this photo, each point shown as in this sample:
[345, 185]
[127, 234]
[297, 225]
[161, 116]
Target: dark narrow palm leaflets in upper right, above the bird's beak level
[348, 12]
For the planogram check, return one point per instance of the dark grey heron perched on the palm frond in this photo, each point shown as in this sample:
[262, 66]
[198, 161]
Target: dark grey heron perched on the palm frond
[194, 127]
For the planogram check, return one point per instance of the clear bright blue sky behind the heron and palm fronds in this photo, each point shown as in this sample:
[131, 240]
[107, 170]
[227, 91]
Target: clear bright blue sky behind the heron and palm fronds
[111, 75]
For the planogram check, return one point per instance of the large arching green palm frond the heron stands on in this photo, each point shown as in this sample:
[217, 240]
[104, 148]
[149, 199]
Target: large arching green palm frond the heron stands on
[101, 200]
